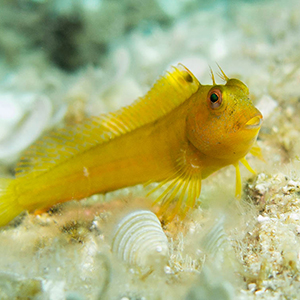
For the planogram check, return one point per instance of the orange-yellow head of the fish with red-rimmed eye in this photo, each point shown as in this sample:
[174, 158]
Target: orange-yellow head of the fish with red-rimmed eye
[223, 123]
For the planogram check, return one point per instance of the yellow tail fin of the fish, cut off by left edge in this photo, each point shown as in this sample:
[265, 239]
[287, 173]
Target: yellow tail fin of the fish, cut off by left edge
[9, 207]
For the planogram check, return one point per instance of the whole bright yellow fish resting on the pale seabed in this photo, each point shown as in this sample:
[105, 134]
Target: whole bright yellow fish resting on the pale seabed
[178, 133]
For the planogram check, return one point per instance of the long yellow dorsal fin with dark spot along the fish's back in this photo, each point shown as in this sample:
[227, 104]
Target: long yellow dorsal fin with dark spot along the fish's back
[167, 93]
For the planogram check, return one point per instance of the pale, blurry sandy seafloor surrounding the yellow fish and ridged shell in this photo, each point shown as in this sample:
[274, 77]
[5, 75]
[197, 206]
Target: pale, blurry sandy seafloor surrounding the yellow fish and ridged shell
[225, 249]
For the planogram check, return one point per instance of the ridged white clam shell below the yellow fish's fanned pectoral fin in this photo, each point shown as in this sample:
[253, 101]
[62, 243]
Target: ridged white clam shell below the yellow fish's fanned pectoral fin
[139, 239]
